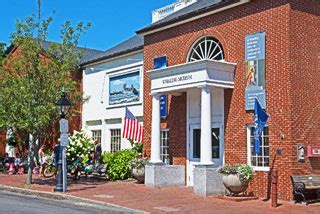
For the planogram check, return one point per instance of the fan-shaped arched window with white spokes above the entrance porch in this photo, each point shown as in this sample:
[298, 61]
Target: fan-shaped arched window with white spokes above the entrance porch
[206, 48]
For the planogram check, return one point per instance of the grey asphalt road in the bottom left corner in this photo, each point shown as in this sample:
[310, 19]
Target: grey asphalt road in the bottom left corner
[12, 203]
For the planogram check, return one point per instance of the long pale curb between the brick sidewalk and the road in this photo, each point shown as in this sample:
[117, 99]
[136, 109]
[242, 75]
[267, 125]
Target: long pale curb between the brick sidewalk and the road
[69, 198]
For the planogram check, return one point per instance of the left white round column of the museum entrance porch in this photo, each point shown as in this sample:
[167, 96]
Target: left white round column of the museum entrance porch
[155, 132]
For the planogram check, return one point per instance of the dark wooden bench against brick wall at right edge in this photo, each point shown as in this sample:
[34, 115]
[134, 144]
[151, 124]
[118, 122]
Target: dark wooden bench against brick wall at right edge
[306, 188]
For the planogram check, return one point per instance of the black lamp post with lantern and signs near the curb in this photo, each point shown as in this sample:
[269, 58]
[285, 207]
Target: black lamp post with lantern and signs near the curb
[64, 104]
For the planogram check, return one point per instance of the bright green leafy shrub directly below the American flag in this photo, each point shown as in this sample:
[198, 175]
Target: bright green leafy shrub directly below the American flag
[119, 164]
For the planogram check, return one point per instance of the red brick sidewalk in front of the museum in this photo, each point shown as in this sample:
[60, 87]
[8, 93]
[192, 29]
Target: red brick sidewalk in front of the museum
[137, 196]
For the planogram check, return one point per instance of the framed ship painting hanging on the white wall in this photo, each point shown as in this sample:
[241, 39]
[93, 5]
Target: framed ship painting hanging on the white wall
[124, 89]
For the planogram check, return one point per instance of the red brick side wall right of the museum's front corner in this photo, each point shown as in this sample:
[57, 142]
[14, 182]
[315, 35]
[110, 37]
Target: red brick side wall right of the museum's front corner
[305, 69]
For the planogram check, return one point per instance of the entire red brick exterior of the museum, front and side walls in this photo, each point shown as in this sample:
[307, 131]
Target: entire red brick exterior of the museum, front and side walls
[292, 57]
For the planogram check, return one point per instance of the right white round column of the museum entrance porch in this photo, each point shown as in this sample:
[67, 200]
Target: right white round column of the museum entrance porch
[206, 135]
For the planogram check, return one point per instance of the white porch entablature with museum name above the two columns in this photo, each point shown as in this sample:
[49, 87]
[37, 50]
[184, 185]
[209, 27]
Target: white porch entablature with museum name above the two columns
[192, 75]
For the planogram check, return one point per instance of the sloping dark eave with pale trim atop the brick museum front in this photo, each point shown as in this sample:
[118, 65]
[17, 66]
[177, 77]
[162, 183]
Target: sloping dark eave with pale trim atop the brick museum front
[191, 17]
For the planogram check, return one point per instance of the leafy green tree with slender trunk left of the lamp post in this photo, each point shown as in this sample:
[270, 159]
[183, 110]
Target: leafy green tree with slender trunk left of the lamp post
[31, 80]
